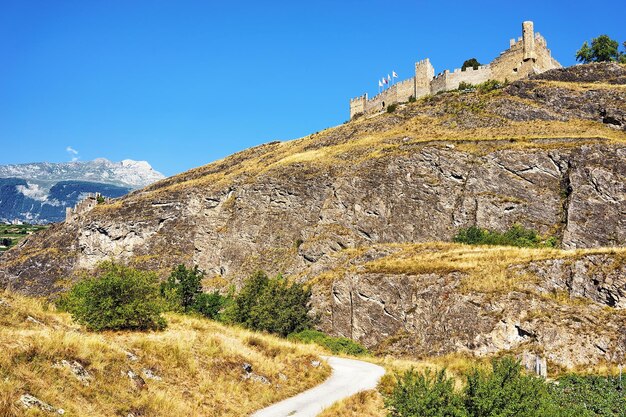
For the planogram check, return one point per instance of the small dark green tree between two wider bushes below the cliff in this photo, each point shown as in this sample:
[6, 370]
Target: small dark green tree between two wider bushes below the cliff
[182, 288]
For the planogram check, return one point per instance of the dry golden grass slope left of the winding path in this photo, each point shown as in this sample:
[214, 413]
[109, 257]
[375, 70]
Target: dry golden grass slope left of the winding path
[199, 361]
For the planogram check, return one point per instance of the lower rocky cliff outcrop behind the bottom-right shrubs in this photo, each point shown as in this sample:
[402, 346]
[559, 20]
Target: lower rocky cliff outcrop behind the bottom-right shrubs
[557, 307]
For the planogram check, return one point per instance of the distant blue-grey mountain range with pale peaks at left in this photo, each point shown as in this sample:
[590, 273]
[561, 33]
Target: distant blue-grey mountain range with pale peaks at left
[39, 192]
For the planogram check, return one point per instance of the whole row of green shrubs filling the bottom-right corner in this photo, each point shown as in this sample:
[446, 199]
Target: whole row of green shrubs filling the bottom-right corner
[505, 391]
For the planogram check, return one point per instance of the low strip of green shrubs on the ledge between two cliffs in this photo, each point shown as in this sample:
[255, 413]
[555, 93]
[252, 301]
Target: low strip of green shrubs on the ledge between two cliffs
[517, 235]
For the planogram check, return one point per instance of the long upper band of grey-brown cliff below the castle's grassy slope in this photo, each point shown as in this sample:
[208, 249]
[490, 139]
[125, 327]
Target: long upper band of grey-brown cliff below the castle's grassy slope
[292, 217]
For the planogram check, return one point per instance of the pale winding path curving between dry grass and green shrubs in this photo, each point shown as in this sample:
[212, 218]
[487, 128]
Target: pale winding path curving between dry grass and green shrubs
[348, 378]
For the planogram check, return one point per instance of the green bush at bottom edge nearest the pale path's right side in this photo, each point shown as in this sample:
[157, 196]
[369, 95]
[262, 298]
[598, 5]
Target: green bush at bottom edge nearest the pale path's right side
[427, 394]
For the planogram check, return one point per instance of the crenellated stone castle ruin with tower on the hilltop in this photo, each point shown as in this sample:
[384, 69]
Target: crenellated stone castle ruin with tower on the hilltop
[527, 55]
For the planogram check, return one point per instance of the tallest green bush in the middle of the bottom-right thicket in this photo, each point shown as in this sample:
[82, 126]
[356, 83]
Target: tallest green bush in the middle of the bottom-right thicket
[505, 391]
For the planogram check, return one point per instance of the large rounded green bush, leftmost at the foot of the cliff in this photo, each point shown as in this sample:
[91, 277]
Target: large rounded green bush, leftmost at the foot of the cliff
[117, 298]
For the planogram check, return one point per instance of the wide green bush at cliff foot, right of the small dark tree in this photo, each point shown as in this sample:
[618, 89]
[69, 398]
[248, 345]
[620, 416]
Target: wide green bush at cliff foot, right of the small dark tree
[272, 305]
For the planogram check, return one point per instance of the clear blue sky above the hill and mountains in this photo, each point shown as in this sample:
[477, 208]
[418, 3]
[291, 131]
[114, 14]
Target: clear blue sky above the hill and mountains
[183, 83]
